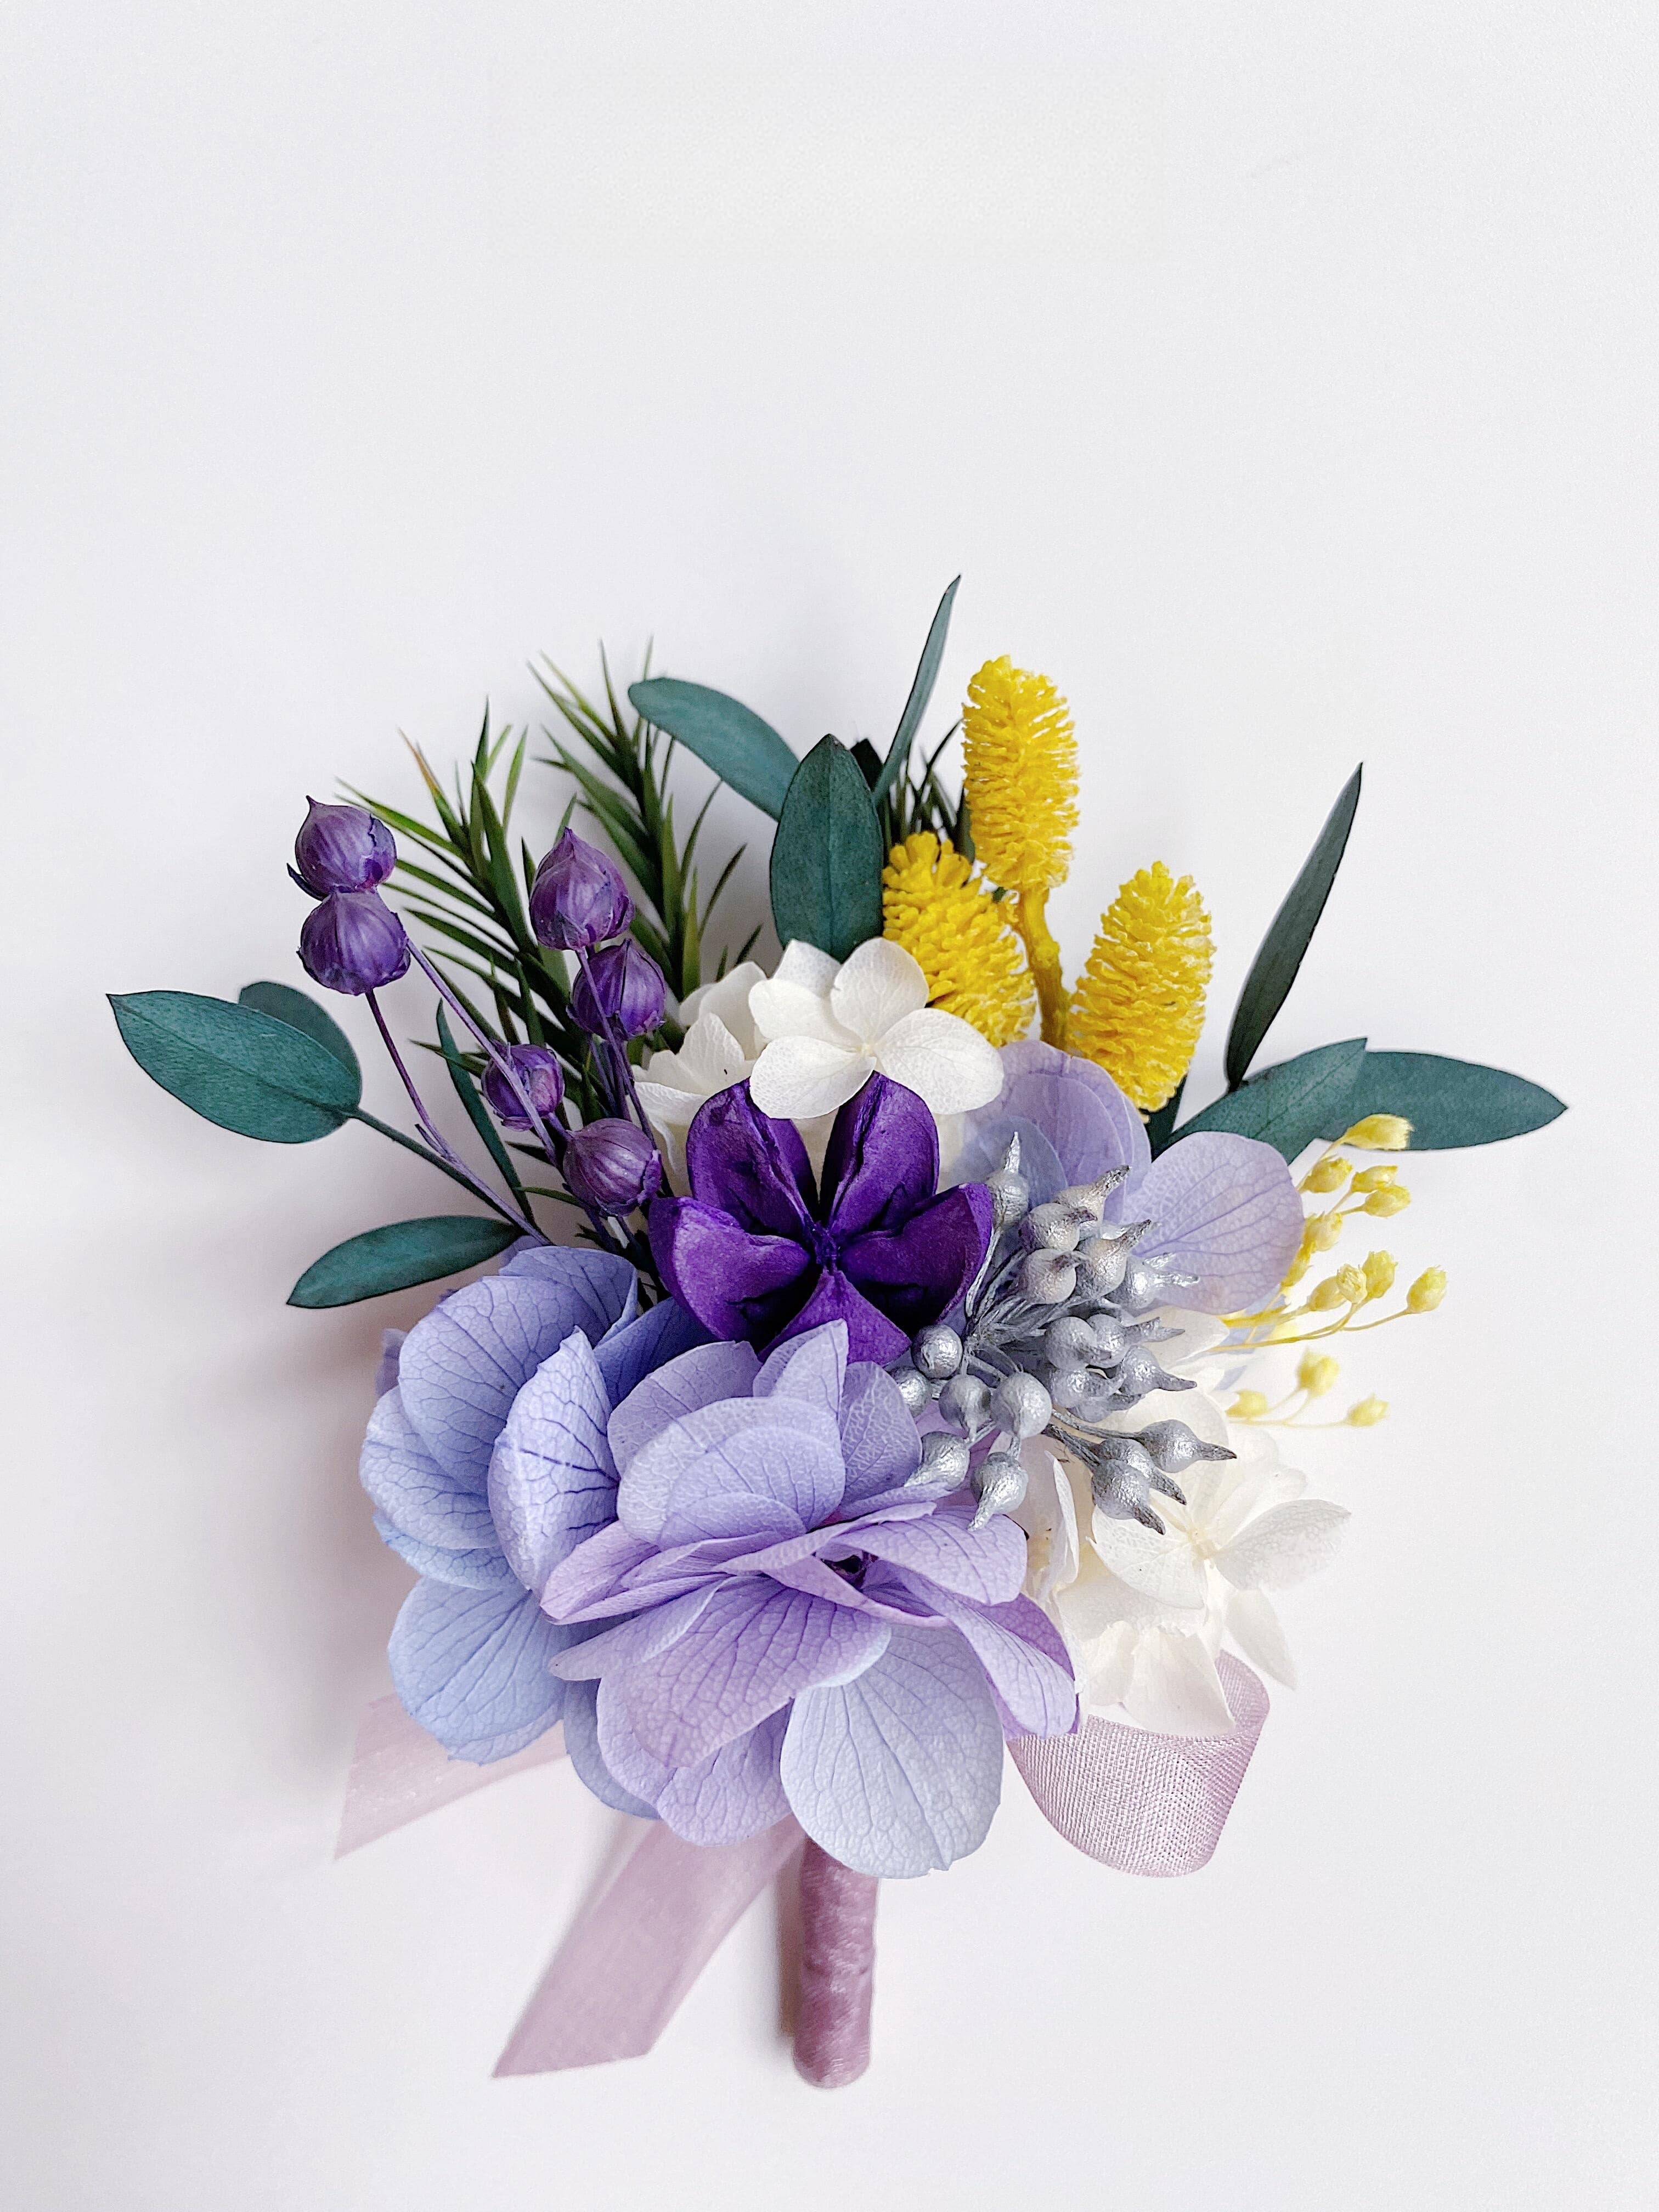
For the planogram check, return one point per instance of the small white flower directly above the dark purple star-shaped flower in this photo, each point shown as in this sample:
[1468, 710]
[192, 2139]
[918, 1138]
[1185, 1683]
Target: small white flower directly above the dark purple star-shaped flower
[828, 1027]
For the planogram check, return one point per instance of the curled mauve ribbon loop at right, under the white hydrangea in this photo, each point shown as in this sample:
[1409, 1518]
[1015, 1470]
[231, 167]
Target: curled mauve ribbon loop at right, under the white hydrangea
[1140, 1802]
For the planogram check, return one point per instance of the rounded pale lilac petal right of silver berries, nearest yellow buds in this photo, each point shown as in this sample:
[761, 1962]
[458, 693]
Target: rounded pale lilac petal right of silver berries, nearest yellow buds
[1227, 1211]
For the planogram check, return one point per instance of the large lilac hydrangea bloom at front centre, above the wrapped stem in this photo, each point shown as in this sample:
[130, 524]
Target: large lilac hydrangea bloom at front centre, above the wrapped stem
[780, 1618]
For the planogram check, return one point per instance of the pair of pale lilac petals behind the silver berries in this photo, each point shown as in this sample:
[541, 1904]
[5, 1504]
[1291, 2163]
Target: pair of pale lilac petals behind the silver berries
[1224, 1209]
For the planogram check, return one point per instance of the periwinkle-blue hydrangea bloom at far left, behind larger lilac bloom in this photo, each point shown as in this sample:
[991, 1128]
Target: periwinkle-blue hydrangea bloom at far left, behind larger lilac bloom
[472, 1647]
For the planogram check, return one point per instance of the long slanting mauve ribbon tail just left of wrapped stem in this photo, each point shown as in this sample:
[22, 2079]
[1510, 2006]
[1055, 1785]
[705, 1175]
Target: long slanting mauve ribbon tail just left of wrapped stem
[632, 1959]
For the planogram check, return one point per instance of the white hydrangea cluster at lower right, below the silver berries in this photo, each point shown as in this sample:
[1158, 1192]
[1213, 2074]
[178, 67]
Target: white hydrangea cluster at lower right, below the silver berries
[1147, 1614]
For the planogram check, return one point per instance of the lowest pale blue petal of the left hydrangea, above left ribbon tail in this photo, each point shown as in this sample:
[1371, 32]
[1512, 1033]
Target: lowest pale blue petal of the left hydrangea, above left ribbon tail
[472, 1669]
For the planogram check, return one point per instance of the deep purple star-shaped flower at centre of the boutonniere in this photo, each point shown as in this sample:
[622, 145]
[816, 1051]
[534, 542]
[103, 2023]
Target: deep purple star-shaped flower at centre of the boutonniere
[760, 1251]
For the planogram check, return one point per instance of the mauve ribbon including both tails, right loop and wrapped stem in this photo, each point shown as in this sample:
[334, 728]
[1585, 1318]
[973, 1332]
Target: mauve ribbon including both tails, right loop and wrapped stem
[1127, 1797]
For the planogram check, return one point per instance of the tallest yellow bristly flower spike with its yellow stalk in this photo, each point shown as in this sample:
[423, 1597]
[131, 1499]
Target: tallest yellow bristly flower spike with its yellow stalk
[1021, 784]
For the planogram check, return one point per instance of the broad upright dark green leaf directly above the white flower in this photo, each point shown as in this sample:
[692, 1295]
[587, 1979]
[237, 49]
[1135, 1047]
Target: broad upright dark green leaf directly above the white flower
[826, 855]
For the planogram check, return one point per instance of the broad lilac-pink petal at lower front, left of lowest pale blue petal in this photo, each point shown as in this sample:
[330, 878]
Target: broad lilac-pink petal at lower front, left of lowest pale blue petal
[749, 1653]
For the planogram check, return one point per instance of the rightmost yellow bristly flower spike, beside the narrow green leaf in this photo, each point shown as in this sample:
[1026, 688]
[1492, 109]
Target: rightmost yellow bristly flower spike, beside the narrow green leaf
[1138, 1008]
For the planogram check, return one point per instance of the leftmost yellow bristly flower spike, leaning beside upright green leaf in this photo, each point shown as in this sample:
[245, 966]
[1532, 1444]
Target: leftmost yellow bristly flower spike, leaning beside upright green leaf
[959, 937]
